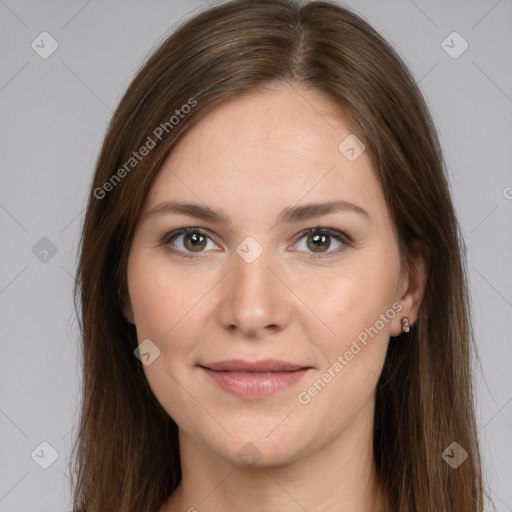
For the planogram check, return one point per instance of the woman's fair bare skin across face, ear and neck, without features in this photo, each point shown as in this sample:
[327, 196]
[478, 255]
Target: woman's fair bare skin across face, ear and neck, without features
[250, 158]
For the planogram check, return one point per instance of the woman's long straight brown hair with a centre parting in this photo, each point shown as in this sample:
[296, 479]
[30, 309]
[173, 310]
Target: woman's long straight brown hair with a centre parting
[126, 452]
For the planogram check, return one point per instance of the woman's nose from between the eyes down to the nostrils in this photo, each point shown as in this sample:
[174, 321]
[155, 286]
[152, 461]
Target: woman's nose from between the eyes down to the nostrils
[255, 299]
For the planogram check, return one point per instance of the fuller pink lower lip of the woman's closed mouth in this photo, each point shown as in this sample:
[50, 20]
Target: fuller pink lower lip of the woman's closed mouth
[255, 385]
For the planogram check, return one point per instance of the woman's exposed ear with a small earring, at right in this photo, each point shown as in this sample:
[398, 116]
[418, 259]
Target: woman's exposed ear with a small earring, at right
[412, 288]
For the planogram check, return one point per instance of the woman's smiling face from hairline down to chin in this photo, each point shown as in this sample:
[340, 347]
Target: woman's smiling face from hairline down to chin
[261, 275]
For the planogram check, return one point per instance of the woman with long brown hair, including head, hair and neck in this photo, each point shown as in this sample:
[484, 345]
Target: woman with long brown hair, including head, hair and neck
[273, 296]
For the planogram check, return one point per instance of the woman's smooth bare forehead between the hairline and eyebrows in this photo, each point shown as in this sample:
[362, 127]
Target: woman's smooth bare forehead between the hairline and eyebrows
[266, 150]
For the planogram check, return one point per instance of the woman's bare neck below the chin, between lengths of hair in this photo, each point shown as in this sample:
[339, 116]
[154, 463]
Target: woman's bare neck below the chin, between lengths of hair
[339, 476]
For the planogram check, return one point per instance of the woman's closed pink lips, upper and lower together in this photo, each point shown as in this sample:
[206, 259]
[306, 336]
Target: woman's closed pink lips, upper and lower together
[254, 379]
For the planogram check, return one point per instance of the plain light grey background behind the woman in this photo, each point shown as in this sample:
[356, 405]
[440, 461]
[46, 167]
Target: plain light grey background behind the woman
[54, 113]
